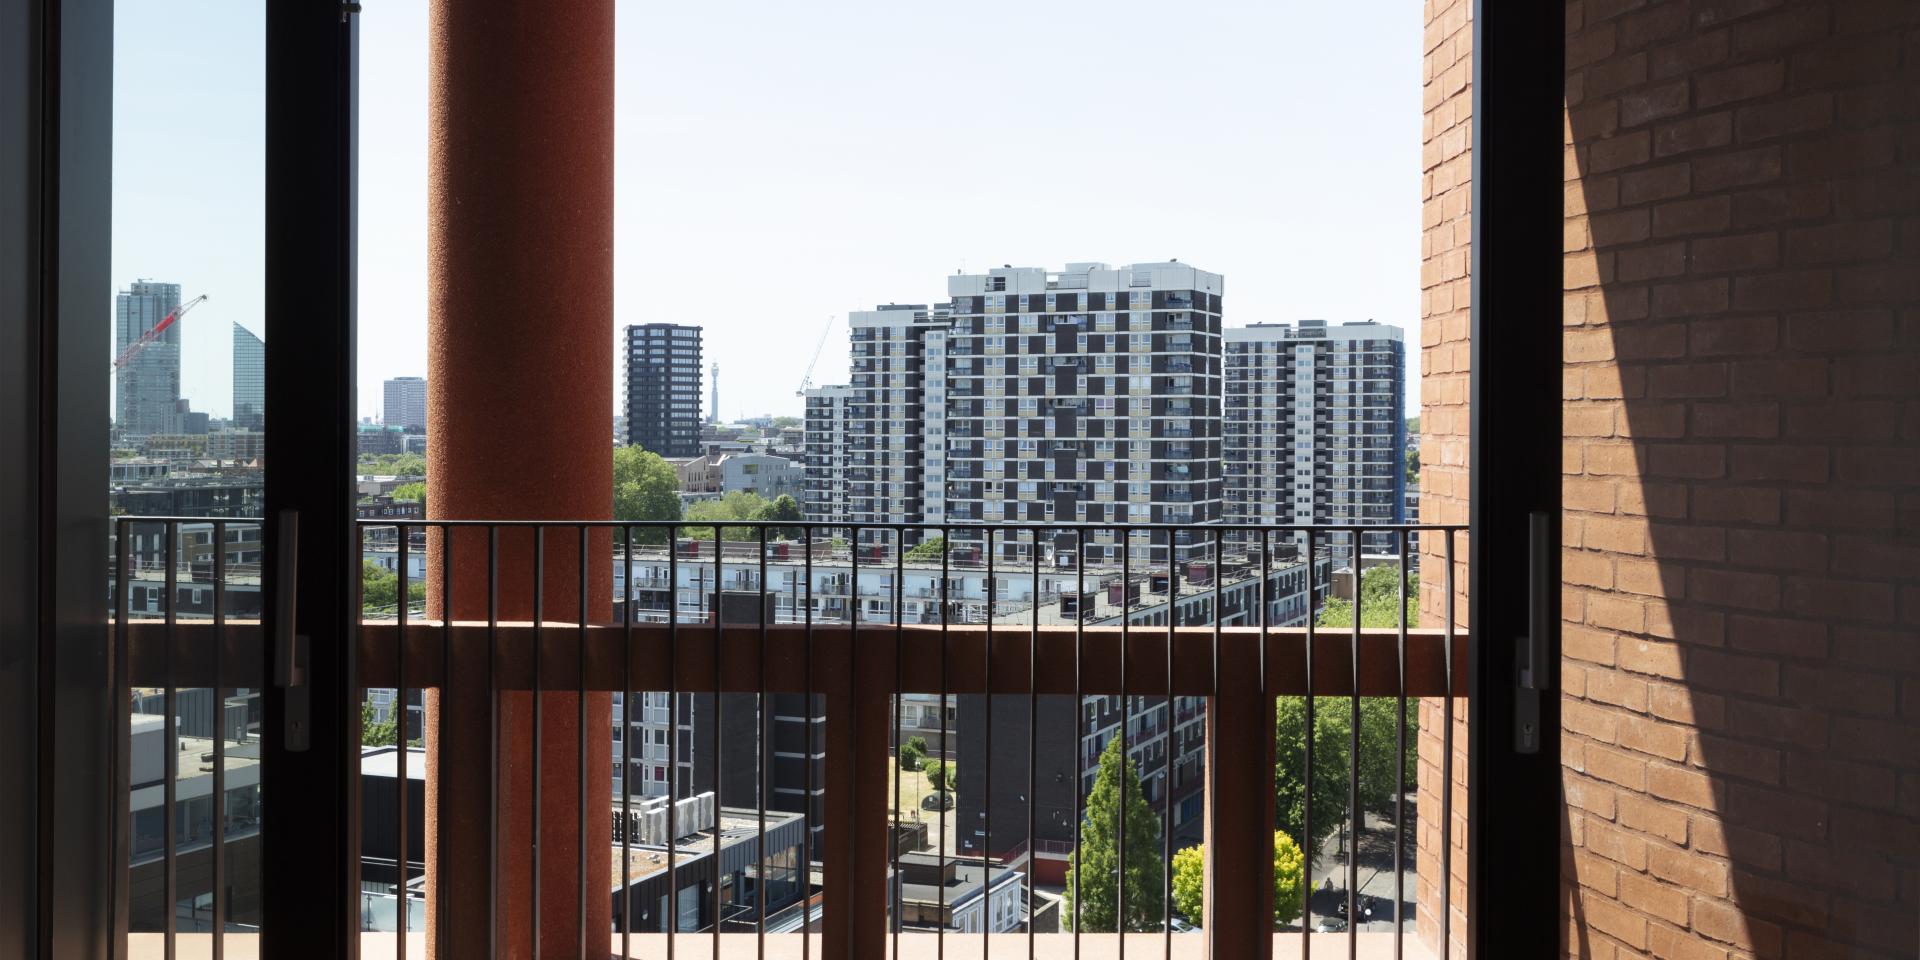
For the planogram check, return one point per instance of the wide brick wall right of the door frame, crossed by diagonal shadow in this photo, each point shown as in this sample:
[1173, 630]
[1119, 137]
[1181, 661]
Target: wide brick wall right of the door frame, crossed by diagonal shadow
[1742, 477]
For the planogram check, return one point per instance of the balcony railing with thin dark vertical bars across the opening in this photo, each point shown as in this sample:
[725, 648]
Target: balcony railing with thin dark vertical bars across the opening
[1220, 638]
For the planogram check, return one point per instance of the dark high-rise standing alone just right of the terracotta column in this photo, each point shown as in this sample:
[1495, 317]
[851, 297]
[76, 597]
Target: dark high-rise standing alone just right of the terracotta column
[663, 389]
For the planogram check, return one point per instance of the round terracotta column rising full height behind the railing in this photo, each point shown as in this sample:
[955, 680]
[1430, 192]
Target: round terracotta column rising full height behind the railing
[519, 400]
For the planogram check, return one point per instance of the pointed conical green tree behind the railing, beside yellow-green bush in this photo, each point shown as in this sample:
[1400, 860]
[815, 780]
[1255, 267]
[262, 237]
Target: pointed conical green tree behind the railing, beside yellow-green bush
[1097, 861]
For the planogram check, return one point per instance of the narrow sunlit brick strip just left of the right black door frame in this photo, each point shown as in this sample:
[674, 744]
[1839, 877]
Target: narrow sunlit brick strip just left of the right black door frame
[1447, 206]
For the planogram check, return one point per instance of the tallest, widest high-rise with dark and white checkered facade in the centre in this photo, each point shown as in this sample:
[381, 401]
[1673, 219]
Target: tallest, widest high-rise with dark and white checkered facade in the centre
[1086, 396]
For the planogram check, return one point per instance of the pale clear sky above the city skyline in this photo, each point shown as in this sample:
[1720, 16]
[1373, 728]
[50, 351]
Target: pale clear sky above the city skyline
[809, 160]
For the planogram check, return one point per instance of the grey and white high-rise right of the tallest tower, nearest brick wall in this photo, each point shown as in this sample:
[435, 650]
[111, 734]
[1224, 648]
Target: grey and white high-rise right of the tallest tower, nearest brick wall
[1316, 429]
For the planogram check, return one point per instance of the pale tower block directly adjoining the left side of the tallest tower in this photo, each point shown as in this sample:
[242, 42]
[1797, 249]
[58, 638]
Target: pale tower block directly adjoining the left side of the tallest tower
[896, 420]
